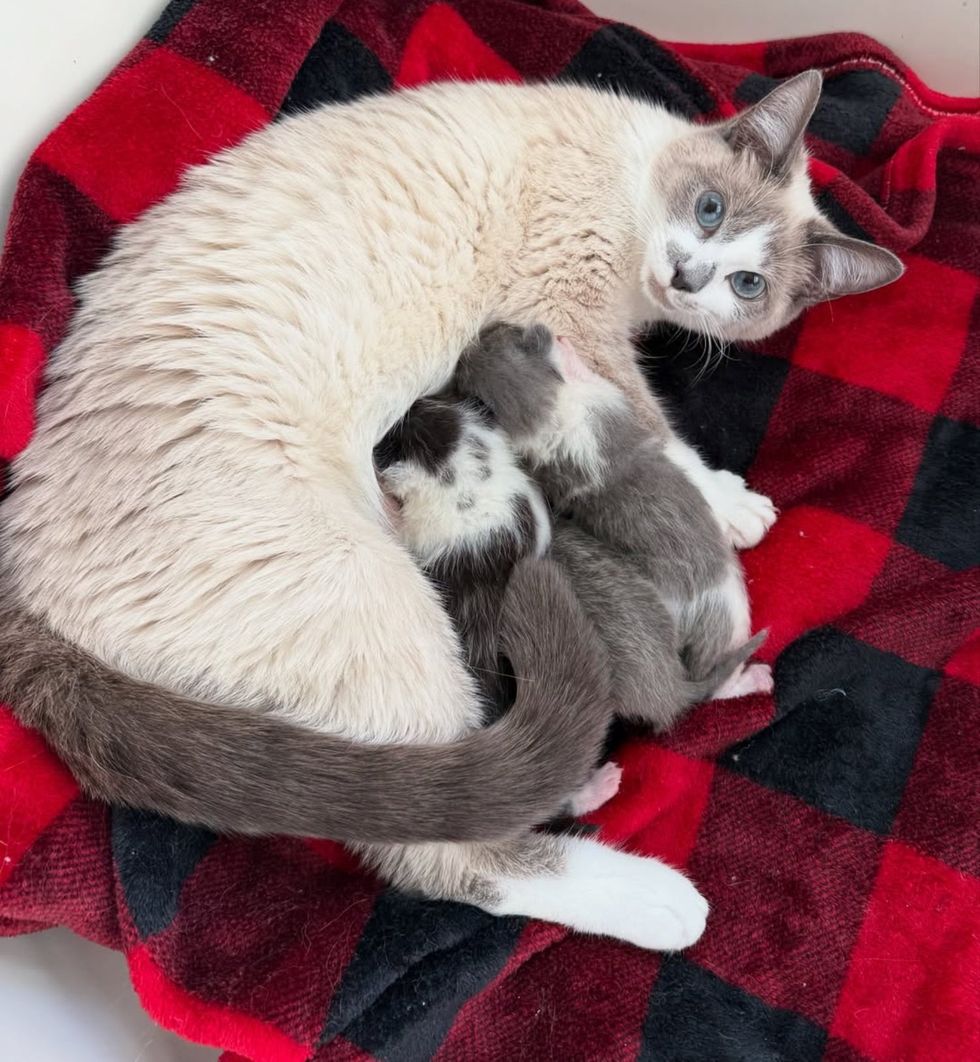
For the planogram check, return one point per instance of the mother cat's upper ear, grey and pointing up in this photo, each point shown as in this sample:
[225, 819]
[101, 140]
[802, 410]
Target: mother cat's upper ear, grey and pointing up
[773, 128]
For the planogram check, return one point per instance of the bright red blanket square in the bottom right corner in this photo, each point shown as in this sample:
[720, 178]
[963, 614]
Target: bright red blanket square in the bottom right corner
[914, 985]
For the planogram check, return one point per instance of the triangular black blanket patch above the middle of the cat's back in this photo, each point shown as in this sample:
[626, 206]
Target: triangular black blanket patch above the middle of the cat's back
[337, 70]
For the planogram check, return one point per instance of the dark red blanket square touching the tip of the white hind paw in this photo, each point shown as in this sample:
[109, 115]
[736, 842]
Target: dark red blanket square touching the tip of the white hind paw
[787, 885]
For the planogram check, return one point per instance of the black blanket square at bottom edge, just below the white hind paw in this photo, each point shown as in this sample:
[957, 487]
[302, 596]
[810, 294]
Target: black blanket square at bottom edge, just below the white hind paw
[695, 1016]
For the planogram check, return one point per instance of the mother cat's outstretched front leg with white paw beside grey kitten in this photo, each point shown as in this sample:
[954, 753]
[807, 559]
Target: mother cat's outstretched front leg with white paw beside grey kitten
[744, 515]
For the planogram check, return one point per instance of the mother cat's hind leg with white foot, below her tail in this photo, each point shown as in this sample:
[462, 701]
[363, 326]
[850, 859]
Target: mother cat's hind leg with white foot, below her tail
[572, 881]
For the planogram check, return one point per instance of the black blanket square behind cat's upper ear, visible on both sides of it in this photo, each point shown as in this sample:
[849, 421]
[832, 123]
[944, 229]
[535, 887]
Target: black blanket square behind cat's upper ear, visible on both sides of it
[853, 107]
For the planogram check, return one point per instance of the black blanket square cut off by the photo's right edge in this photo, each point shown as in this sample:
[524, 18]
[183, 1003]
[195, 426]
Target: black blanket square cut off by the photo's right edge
[942, 520]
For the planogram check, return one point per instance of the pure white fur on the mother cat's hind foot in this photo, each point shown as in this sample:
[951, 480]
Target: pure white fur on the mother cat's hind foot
[600, 890]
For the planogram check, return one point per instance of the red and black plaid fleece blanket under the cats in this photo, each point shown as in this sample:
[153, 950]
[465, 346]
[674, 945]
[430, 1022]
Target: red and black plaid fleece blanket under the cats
[835, 829]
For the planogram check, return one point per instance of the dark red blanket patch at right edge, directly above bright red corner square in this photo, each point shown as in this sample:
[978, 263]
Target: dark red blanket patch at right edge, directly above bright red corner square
[940, 811]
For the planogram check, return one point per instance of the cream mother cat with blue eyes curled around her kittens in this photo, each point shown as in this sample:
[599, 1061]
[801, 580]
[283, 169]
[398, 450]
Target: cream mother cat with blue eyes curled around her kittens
[199, 509]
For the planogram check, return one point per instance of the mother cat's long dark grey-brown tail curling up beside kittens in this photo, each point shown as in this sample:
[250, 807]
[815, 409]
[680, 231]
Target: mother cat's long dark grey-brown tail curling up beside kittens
[236, 772]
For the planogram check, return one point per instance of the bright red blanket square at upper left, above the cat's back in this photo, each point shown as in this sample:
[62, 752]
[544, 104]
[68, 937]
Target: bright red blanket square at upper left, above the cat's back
[128, 145]
